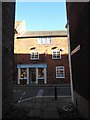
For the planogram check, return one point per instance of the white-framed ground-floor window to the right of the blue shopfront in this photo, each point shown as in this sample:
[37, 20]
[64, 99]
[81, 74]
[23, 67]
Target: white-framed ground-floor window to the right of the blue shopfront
[60, 72]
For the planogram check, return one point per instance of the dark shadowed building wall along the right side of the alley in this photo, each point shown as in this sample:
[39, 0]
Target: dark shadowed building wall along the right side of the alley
[77, 15]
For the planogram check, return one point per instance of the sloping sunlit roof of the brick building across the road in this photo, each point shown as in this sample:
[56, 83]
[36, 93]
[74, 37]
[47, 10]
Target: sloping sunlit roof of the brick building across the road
[58, 33]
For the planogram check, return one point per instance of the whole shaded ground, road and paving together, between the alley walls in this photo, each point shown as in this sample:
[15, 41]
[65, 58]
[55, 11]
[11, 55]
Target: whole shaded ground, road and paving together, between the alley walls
[40, 103]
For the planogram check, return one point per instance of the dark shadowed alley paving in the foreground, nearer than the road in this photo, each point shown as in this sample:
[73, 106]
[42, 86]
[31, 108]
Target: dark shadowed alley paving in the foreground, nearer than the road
[43, 109]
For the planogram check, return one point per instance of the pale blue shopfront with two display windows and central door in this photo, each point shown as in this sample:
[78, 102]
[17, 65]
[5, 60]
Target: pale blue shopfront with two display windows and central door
[30, 74]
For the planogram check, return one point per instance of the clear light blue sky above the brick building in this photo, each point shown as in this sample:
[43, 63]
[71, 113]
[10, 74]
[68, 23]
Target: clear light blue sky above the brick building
[42, 16]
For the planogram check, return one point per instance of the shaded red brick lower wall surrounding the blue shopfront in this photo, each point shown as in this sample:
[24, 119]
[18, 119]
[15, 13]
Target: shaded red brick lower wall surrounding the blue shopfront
[51, 66]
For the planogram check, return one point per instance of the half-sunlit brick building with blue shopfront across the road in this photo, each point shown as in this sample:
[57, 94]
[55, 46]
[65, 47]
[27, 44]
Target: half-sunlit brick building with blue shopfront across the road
[40, 56]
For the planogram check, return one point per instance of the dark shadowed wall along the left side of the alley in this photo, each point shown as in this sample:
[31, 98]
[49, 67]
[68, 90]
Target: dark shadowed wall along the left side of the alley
[8, 16]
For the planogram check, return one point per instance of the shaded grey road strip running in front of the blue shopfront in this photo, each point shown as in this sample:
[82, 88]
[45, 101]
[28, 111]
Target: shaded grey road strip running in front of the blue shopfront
[26, 92]
